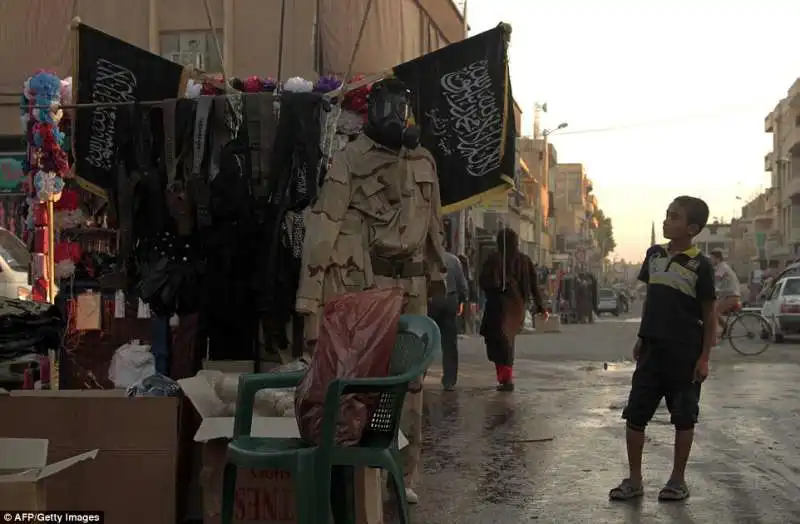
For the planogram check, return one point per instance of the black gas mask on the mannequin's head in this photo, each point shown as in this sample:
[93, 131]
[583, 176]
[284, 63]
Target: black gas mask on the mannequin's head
[387, 115]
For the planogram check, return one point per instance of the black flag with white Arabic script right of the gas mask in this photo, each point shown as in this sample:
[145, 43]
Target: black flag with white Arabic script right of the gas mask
[462, 102]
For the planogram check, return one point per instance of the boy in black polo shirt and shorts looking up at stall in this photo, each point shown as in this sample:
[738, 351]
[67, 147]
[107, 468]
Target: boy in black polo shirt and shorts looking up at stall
[677, 332]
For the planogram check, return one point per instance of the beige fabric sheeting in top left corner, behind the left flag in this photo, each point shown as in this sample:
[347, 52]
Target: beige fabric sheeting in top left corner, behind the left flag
[35, 34]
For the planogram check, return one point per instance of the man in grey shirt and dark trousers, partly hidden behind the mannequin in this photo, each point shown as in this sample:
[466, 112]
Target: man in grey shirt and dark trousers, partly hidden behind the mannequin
[444, 311]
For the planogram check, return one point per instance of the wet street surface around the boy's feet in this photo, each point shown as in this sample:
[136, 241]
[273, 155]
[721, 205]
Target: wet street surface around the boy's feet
[552, 450]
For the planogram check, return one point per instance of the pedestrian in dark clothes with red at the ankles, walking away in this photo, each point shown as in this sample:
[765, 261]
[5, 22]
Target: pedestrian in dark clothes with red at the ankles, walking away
[508, 280]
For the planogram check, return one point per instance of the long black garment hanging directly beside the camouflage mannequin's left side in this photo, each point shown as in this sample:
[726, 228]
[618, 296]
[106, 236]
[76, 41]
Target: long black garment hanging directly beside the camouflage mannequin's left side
[293, 186]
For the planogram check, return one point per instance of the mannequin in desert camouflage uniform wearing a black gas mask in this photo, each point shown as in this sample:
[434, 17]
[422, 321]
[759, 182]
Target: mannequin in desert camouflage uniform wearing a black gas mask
[377, 222]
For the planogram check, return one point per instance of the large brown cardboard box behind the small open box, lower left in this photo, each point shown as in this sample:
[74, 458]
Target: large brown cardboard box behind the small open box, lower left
[133, 478]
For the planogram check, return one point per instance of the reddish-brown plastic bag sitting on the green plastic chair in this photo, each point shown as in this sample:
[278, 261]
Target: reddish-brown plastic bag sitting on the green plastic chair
[356, 340]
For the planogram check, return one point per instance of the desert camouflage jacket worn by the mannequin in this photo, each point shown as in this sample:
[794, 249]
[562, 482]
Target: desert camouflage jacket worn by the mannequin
[373, 203]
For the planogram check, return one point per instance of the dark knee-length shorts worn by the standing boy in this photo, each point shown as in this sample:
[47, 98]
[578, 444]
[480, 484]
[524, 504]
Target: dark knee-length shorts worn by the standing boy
[665, 369]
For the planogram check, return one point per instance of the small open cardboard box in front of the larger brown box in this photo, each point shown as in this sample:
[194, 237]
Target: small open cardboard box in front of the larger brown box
[23, 470]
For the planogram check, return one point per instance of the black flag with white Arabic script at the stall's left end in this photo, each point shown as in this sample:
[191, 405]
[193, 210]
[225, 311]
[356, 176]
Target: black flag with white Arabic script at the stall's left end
[110, 70]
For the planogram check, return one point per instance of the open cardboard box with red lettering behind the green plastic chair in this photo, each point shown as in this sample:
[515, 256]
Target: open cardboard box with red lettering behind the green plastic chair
[262, 497]
